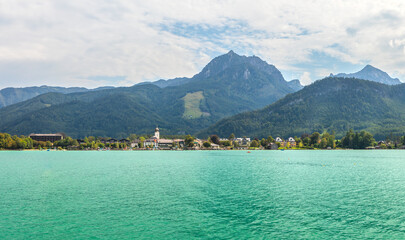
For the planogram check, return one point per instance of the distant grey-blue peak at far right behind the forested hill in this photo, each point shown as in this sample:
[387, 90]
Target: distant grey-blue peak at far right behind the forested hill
[371, 73]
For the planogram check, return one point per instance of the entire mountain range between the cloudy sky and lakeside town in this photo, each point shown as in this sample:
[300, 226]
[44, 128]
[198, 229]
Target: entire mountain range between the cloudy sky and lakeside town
[232, 94]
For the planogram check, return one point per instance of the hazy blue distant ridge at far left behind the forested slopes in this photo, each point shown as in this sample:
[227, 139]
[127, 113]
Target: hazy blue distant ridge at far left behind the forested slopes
[9, 96]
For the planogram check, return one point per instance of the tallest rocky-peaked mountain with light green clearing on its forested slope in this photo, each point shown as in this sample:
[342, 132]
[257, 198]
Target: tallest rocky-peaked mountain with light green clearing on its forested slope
[228, 85]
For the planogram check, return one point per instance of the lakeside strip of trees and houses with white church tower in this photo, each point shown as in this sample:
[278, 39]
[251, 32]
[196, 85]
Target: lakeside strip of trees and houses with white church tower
[59, 141]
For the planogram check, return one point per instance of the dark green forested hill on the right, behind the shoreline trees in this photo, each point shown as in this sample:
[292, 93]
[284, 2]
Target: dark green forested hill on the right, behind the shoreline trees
[333, 104]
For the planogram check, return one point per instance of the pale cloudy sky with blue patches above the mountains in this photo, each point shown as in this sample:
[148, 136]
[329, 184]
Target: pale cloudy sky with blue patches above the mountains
[121, 42]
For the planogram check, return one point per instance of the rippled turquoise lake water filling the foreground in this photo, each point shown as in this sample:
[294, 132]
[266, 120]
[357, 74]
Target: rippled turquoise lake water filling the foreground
[203, 194]
